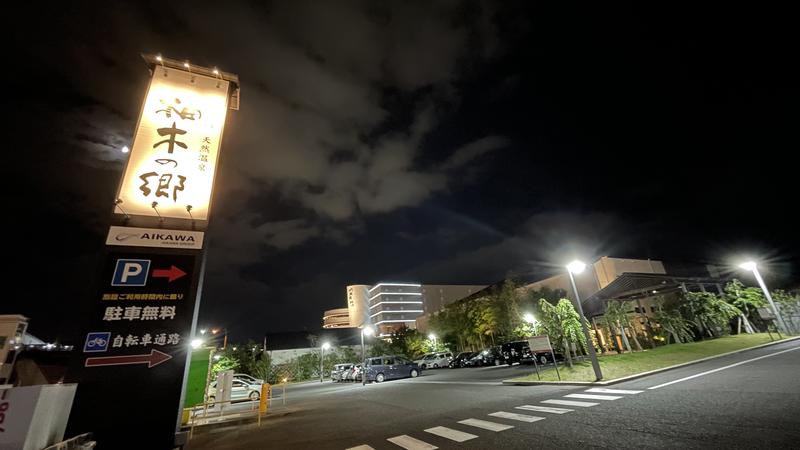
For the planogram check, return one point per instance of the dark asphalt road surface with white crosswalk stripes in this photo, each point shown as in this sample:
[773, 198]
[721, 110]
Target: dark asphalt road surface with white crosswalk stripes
[731, 402]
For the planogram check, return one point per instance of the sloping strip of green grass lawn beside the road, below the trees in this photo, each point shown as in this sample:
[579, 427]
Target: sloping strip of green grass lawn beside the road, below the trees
[616, 366]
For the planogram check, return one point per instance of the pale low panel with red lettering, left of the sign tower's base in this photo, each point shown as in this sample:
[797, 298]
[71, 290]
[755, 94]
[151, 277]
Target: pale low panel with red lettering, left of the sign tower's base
[35, 417]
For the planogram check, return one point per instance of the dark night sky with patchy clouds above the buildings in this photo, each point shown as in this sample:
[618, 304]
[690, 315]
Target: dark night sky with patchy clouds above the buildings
[440, 142]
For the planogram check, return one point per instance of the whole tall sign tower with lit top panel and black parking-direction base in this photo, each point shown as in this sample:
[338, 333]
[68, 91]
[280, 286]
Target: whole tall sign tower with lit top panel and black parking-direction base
[139, 326]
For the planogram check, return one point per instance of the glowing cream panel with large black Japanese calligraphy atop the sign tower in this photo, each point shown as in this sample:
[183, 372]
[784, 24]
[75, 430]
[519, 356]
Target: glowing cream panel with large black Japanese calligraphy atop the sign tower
[174, 154]
